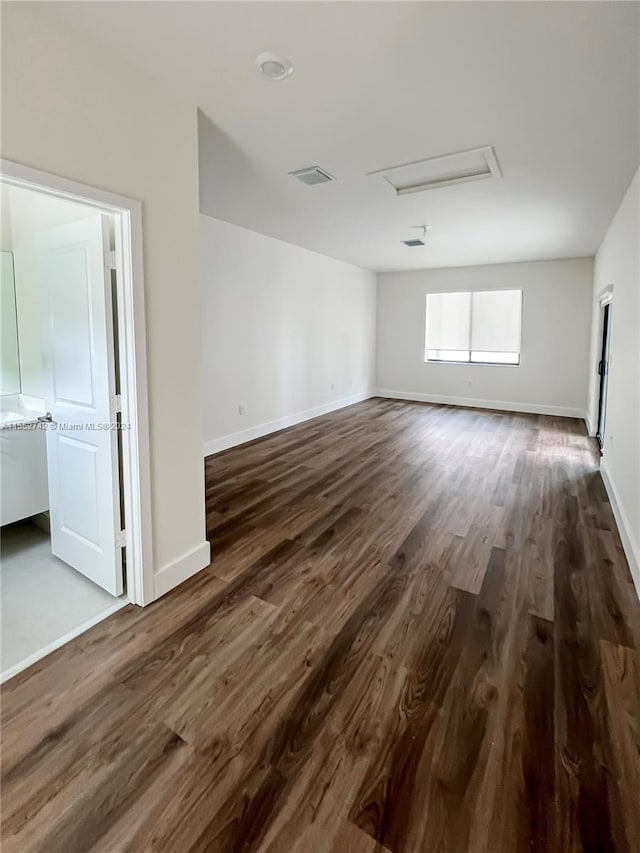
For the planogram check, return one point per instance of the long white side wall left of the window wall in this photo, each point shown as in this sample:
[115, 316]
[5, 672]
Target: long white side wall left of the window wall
[288, 333]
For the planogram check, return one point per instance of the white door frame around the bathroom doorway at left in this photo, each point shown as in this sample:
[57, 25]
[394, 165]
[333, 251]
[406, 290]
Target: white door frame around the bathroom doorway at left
[132, 350]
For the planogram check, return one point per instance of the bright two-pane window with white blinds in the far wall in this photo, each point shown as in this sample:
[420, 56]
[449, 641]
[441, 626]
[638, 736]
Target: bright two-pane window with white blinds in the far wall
[481, 327]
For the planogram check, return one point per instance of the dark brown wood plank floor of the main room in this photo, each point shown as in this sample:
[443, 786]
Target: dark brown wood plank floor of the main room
[418, 633]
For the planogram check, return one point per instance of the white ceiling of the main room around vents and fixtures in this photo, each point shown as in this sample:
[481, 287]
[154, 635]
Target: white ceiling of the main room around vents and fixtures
[552, 86]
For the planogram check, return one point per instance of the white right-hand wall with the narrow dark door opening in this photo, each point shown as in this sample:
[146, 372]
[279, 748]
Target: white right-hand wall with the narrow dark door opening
[618, 263]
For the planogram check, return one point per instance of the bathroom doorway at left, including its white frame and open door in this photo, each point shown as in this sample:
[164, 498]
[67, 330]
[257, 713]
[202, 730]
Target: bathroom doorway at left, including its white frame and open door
[75, 493]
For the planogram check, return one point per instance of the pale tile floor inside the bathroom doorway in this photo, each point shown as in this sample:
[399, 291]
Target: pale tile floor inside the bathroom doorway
[41, 598]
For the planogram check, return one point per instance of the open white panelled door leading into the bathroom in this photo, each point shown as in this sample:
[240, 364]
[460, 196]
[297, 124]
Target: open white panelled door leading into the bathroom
[84, 490]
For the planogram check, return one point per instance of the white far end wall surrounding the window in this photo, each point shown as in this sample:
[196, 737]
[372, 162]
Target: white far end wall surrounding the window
[552, 376]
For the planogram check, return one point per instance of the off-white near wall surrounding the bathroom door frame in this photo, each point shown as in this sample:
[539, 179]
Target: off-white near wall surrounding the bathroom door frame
[73, 108]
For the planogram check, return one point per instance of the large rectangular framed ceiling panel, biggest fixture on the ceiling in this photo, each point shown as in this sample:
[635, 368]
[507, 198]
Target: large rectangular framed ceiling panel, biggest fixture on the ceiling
[472, 165]
